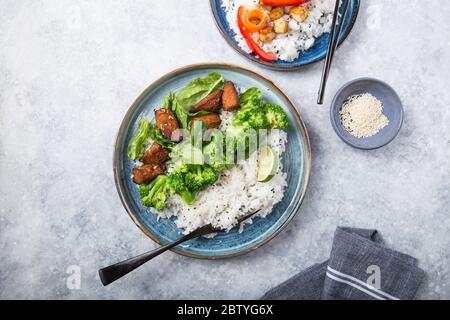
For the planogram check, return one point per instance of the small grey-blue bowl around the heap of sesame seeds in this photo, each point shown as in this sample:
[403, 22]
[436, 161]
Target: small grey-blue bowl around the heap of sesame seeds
[393, 110]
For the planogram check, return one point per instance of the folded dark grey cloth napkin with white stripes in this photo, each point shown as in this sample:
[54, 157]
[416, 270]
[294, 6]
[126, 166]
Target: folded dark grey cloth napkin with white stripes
[360, 268]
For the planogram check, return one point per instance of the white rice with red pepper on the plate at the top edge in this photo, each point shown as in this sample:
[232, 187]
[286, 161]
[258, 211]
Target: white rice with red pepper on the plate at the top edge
[300, 37]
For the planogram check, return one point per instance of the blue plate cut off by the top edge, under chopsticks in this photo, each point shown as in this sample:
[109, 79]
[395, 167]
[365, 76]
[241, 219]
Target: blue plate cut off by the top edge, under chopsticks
[314, 54]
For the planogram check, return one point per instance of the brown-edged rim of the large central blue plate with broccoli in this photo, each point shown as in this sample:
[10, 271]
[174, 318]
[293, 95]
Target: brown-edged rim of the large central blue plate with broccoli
[118, 174]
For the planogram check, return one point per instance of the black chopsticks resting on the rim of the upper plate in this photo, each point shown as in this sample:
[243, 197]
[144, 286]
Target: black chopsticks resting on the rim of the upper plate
[335, 32]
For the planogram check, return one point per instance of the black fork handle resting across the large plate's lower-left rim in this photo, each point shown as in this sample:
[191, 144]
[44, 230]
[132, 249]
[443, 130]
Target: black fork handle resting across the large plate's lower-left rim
[116, 271]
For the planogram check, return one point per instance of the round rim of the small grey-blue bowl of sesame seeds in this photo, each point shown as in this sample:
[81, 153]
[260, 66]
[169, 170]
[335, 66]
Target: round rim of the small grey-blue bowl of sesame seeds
[335, 125]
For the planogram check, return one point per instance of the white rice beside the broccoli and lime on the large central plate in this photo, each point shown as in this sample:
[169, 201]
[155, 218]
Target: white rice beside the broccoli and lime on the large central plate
[236, 194]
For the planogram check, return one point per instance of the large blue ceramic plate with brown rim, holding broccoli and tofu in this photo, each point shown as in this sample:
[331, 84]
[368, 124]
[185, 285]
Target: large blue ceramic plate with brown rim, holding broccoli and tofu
[296, 160]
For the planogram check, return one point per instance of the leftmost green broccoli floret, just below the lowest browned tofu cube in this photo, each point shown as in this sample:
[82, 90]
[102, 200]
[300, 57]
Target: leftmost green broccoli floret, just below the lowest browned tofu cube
[155, 193]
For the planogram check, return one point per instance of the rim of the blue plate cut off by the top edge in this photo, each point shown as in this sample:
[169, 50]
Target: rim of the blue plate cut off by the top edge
[272, 66]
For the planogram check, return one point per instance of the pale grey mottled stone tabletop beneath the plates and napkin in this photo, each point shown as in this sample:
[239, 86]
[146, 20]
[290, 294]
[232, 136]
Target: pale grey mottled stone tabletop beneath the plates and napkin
[69, 70]
